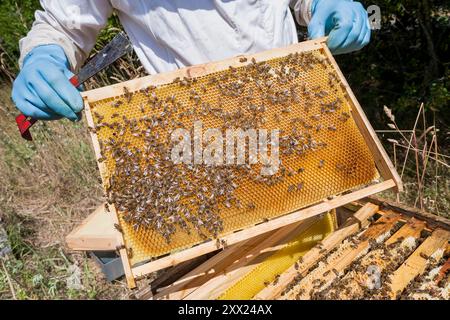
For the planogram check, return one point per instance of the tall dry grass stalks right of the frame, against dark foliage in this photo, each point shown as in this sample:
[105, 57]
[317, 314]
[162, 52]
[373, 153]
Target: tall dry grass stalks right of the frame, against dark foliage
[423, 165]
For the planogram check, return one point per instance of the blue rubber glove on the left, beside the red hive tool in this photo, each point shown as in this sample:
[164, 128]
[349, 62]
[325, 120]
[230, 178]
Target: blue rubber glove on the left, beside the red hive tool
[42, 89]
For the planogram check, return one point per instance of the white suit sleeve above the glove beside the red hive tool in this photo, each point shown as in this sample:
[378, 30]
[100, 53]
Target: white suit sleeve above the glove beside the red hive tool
[72, 24]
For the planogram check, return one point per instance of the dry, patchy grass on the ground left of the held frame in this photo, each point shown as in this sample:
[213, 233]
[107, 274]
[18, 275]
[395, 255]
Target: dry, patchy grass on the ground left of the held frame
[48, 186]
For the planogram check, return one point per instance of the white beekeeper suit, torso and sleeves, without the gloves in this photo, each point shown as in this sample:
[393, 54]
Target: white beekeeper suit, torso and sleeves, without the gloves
[168, 34]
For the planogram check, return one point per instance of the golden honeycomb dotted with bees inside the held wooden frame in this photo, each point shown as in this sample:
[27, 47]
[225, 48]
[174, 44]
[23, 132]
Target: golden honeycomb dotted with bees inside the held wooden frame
[299, 93]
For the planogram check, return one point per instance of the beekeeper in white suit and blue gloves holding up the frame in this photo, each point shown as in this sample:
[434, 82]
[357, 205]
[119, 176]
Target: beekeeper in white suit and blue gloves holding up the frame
[167, 34]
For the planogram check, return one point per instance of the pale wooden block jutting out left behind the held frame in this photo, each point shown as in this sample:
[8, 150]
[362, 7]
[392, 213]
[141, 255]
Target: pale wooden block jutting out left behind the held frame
[95, 233]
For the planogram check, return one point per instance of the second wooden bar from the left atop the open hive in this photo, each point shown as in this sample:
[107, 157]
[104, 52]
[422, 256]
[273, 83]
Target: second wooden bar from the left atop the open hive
[342, 258]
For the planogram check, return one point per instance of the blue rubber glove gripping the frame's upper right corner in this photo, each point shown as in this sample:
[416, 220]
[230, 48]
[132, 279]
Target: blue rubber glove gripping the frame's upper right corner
[345, 22]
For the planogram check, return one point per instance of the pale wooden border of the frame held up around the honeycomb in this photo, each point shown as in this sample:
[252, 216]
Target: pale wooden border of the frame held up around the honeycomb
[391, 179]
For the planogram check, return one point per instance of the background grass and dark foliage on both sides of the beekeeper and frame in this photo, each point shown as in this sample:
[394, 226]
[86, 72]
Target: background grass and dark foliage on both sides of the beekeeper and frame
[49, 185]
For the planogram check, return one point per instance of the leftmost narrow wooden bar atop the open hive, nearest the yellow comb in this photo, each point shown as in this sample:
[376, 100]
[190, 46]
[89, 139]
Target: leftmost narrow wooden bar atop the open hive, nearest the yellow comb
[359, 220]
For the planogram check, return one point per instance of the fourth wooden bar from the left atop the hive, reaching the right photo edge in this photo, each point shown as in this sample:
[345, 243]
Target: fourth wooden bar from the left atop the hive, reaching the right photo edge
[416, 264]
